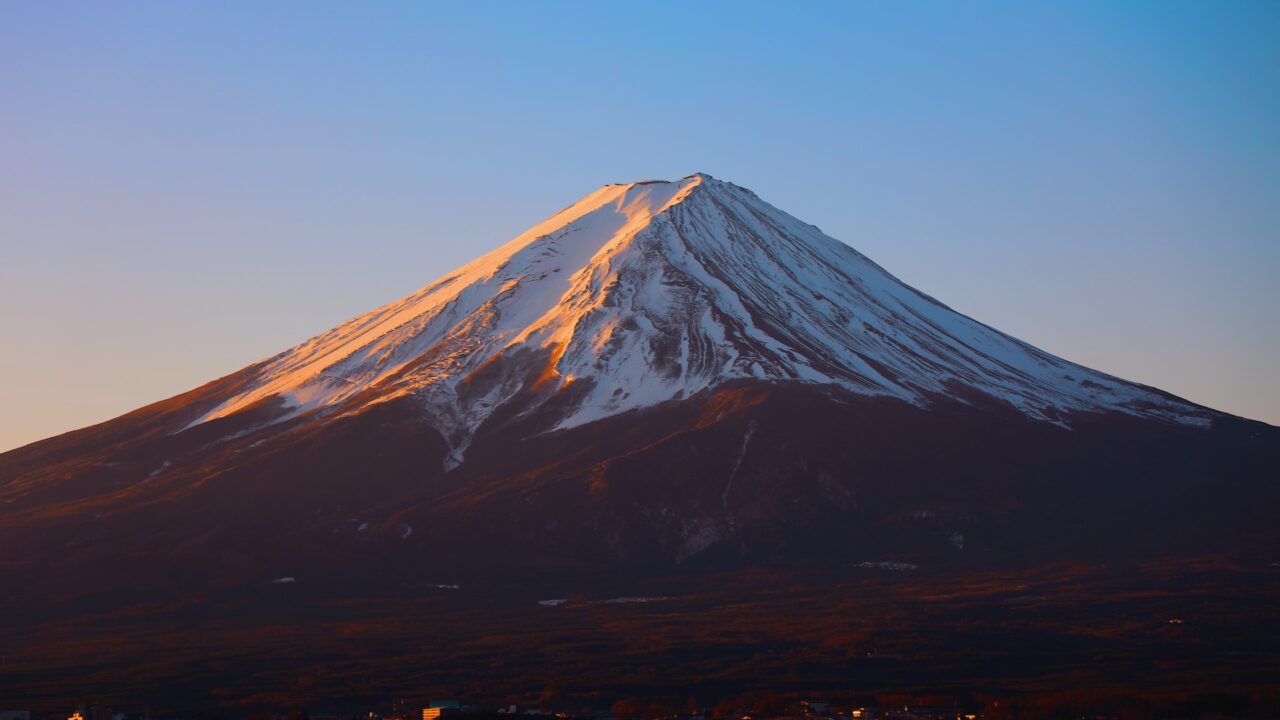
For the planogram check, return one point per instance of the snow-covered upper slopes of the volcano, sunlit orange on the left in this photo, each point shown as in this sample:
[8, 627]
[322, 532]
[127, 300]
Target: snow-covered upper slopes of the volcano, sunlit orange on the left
[653, 291]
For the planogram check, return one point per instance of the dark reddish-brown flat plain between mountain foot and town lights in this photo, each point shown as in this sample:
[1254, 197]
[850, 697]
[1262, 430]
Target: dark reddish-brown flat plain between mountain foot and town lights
[857, 631]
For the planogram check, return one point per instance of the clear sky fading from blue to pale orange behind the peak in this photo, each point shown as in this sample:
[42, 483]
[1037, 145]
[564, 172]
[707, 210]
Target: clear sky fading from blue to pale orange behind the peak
[186, 189]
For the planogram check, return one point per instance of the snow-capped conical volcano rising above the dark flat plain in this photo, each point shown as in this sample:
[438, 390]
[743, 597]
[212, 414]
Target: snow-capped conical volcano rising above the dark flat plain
[665, 380]
